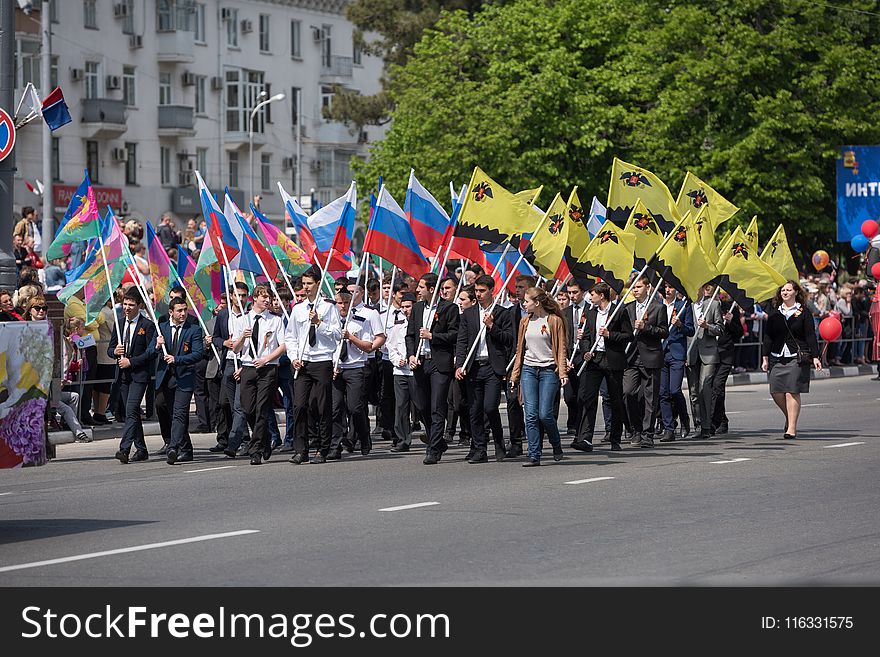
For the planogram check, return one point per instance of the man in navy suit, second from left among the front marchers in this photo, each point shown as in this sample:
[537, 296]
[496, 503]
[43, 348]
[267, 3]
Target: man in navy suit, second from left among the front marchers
[175, 379]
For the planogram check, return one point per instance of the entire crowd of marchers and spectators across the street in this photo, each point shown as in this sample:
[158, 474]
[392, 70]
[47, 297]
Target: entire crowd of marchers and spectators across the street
[429, 363]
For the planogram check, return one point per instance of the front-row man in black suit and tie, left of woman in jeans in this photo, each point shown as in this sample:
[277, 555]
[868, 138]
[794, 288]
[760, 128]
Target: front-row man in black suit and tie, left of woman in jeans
[486, 370]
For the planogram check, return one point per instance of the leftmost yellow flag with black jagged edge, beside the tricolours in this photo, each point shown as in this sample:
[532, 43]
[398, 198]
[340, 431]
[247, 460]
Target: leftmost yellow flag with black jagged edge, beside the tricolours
[490, 212]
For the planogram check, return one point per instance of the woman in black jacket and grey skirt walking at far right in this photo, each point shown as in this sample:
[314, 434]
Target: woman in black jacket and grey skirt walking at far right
[790, 350]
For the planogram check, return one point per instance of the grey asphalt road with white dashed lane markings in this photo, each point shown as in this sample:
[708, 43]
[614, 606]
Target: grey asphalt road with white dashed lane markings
[745, 508]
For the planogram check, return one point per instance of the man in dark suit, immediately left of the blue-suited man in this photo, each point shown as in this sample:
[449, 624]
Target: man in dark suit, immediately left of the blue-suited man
[641, 379]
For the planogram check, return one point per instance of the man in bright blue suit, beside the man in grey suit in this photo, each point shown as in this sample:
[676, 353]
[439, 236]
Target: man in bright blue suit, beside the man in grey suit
[681, 327]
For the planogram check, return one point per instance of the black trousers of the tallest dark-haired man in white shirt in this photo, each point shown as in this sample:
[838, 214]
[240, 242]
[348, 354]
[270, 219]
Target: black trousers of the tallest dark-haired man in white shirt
[313, 407]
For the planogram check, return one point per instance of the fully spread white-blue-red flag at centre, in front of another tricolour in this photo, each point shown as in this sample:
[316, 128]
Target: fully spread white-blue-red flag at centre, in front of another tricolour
[391, 237]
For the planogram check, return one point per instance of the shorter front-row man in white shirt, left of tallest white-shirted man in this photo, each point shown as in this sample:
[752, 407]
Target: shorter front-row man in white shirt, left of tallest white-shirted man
[261, 344]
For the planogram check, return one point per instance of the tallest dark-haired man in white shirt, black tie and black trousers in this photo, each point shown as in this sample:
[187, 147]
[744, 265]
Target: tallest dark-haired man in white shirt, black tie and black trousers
[313, 334]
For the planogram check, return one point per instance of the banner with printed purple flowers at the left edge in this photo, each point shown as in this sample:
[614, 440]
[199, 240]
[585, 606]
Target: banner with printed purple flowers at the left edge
[25, 376]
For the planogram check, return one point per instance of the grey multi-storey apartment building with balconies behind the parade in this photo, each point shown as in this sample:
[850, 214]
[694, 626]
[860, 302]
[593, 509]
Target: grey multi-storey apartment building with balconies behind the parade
[158, 89]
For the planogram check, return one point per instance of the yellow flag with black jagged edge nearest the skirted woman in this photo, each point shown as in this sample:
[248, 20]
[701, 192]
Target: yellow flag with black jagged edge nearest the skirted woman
[743, 275]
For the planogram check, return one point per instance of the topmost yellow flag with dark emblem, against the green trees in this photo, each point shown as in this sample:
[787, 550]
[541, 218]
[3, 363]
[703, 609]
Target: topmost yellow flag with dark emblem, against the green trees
[630, 183]
